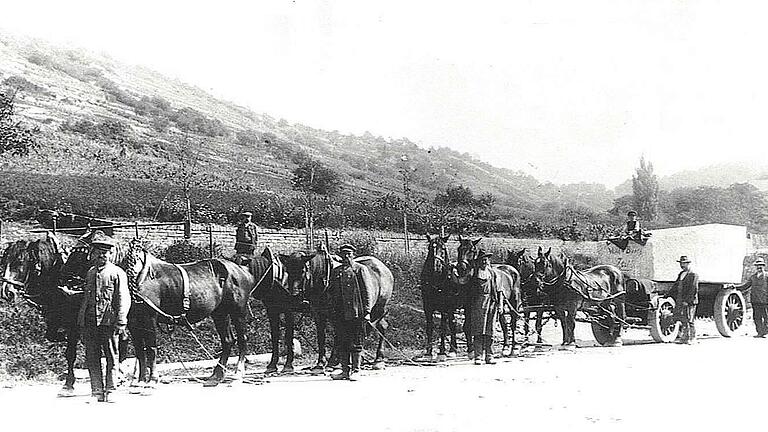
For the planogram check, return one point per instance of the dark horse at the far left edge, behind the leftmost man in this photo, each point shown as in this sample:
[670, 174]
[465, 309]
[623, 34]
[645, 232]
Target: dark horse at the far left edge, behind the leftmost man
[37, 271]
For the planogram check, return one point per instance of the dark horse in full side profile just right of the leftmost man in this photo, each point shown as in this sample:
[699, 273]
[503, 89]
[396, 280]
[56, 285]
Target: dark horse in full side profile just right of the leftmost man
[186, 294]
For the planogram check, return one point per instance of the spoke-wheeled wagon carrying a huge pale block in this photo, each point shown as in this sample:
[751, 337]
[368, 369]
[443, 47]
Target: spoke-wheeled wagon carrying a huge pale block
[717, 252]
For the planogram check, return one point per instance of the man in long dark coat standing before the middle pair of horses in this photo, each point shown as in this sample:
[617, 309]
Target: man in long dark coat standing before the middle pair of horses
[485, 302]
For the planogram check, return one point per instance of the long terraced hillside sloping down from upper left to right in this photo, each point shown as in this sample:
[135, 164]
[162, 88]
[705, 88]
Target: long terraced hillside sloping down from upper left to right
[101, 118]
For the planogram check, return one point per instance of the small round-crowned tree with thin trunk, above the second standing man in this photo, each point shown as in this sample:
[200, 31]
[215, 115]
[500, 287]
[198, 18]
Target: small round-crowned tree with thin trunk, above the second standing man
[312, 179]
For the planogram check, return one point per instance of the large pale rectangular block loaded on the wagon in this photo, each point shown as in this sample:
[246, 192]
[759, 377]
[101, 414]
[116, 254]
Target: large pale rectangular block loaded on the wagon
[716, 250]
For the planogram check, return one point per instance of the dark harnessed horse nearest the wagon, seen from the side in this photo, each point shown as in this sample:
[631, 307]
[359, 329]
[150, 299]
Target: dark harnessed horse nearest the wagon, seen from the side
[598, 291]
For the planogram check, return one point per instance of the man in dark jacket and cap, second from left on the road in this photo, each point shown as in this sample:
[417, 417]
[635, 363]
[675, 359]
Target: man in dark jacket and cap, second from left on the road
[349, 296]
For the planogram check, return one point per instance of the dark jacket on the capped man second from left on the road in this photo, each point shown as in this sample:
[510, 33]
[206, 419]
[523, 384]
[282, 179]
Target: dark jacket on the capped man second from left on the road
[348, 291]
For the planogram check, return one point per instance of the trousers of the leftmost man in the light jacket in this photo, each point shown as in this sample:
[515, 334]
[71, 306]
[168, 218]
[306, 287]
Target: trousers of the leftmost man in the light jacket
[100, 339]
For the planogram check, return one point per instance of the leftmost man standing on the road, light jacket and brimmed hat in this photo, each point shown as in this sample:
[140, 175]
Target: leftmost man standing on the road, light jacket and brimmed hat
[103, 315]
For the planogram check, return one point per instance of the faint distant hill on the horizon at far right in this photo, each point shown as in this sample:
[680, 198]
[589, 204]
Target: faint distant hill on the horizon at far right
[720, 175]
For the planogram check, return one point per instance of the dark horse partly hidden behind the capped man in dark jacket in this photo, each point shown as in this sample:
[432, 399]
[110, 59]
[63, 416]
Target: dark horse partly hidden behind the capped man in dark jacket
[313, 272]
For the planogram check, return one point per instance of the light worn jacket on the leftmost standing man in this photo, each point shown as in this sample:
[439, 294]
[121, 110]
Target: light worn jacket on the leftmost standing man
[106, 297]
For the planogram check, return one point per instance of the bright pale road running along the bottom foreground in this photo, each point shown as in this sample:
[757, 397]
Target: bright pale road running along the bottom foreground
[640, 386]
